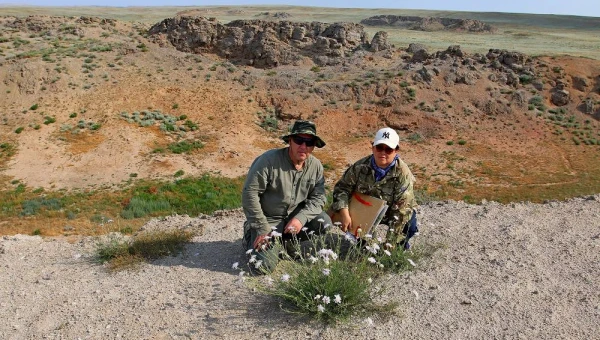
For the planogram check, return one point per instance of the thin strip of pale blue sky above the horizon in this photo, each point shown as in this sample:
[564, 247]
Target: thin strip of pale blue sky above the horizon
[572, 7]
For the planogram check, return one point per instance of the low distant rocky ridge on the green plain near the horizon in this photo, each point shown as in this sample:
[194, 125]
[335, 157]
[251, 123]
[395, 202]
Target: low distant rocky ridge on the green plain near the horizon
[429, 23]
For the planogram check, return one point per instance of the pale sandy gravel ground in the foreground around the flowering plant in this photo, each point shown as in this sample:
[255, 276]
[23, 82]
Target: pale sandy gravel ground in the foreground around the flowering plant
[529, 271]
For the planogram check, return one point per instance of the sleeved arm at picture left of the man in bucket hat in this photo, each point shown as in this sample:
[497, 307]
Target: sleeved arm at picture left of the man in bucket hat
[255, 185]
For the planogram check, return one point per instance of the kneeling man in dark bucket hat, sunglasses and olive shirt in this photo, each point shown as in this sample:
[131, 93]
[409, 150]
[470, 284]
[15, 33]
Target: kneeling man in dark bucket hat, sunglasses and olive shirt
[284, 196]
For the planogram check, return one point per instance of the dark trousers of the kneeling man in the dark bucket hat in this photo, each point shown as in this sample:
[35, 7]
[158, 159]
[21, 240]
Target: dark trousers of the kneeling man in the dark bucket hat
[270, 255]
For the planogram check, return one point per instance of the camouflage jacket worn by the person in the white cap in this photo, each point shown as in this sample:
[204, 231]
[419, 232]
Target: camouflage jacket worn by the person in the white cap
[396, 188]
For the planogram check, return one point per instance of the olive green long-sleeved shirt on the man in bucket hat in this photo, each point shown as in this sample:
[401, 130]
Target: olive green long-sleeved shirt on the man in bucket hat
[274, 189]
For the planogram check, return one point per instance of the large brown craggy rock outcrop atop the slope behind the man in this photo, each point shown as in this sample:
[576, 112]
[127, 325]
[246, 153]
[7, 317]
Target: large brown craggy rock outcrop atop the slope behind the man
[265, 44]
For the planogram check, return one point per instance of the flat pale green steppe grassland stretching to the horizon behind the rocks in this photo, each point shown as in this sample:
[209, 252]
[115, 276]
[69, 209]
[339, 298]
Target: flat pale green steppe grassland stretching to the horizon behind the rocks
[533, 34]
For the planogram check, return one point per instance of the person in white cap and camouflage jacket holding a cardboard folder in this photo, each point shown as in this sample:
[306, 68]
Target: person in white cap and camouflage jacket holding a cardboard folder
[383, 175]
